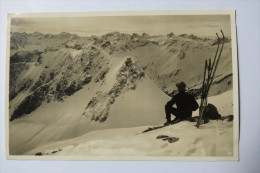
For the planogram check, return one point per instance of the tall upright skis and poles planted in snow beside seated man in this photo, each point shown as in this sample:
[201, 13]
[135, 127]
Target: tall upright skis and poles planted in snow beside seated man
[208, 77]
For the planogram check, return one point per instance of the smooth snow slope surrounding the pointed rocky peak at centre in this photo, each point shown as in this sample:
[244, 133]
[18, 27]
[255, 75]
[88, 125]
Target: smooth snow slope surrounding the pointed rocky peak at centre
[57, 121]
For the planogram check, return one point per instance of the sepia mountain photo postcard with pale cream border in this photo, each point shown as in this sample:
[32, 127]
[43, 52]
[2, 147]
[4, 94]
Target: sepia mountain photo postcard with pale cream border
[130, 85]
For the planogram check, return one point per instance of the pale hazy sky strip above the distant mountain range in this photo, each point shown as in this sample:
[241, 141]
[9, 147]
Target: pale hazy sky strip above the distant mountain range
[201, 25]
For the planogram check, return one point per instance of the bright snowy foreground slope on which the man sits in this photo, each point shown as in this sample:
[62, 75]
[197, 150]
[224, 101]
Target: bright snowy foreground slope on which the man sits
[211, 139]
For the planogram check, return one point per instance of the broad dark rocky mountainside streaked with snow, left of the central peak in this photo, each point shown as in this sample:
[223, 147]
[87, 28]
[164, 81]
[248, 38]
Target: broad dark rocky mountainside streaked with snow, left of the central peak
[54, 83]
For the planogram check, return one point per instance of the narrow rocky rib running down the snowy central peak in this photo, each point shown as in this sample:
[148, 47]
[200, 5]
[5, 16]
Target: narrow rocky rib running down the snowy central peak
[99, 106]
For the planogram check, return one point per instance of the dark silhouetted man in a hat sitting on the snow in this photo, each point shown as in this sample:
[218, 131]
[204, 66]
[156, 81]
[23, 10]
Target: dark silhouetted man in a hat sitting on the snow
[185, 103]
